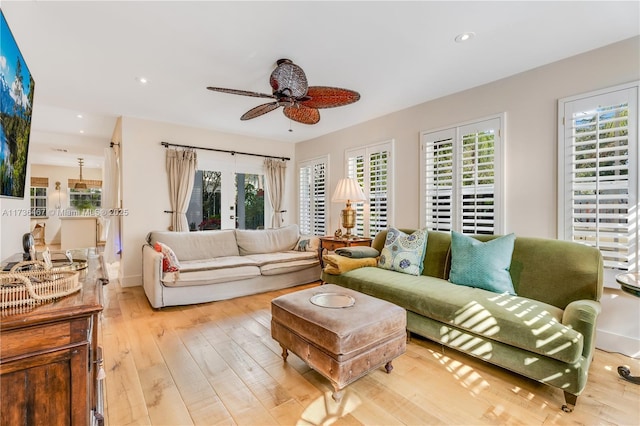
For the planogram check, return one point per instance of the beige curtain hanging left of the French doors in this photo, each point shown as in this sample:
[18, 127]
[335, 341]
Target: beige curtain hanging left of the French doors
[181, 169]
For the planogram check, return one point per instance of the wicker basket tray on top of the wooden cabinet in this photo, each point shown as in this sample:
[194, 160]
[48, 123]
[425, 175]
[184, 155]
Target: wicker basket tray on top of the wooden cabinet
[29, 283]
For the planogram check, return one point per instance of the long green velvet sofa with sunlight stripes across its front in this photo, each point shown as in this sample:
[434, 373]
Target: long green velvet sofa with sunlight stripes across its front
[546, 332]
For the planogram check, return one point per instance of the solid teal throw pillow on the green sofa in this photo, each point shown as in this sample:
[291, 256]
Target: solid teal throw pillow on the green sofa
[480, 264]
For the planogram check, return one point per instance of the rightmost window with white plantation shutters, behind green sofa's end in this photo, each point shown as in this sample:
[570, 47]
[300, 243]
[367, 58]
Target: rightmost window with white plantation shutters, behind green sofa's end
[597, 171]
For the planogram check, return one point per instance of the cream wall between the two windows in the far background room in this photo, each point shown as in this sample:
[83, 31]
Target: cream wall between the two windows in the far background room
[58, 201]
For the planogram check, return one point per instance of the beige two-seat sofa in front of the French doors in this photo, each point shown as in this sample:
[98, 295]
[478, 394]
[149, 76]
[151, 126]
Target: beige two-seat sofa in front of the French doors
[218, 265]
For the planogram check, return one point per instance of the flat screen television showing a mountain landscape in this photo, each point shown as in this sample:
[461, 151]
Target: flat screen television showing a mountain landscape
[16, 107]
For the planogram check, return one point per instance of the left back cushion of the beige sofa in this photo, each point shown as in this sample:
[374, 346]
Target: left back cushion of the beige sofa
[198, 245]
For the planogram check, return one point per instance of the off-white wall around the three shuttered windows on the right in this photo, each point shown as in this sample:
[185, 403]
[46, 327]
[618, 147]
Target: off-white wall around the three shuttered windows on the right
[530, 103]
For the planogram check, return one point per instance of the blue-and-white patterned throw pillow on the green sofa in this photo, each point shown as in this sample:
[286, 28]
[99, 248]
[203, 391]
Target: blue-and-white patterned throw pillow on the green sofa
[404, 253]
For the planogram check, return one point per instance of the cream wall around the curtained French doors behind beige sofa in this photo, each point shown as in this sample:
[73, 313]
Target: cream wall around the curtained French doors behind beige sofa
[145, 184]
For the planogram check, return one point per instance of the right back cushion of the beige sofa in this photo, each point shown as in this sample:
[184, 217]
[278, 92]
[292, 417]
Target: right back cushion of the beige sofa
[252, 241]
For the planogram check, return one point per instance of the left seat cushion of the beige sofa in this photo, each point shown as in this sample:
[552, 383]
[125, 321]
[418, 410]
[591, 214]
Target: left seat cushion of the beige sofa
[209, 276]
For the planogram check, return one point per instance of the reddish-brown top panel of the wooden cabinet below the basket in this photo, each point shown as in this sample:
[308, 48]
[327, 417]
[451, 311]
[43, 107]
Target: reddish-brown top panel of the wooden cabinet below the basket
[22, 342]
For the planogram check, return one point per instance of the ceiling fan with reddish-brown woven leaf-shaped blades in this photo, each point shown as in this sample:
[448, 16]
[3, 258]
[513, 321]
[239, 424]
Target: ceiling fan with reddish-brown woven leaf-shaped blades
[291, 91]
